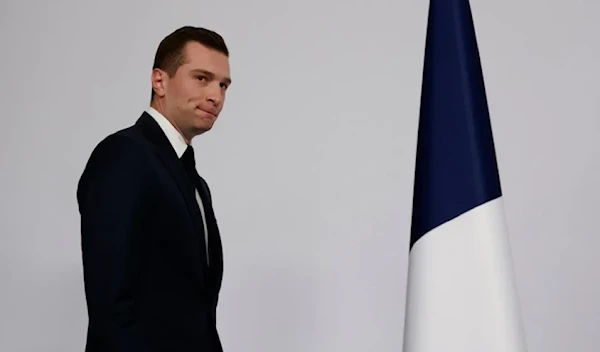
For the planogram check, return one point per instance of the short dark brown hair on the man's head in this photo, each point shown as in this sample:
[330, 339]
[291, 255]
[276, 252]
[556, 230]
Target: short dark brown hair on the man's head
[170, 54]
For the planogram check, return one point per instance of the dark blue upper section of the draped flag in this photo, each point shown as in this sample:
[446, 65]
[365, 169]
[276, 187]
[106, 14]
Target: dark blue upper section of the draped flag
[456, 168]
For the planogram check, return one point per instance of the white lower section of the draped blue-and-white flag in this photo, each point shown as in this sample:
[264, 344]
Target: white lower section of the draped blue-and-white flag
[460, 288]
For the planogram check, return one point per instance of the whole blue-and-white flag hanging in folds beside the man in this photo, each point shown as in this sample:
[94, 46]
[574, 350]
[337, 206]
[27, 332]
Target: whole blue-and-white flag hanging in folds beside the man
[461, 294]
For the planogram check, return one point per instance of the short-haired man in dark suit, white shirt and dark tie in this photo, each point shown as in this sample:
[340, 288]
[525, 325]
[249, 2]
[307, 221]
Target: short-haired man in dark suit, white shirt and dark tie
[151, 248]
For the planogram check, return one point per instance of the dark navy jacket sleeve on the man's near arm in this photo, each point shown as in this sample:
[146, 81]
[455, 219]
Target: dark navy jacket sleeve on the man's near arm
[113, 195]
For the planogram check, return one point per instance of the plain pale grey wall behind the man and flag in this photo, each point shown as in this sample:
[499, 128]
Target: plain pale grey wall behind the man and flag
[310, 164]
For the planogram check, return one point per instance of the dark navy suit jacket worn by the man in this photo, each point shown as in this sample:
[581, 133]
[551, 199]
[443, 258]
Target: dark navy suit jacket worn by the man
[147, 282]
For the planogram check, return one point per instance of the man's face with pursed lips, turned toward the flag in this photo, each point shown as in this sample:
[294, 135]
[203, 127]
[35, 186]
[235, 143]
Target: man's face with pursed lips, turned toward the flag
[194, 96]
